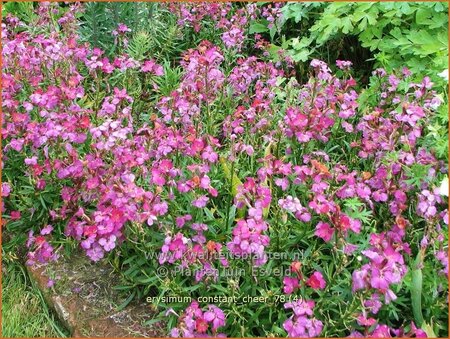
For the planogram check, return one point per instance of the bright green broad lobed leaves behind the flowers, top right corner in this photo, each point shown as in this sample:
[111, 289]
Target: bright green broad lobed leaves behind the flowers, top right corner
[398, 33]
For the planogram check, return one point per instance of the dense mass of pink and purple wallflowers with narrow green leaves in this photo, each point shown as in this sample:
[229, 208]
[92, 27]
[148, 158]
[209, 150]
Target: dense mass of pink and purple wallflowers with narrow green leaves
[244, 192]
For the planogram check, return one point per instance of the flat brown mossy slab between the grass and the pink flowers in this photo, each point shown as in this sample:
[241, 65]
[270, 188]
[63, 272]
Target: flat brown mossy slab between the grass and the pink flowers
[86, 303]
